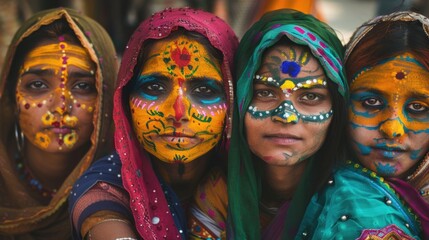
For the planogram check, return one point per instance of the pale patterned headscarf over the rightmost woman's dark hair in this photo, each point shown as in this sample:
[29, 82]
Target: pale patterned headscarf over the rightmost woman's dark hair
[420, 177]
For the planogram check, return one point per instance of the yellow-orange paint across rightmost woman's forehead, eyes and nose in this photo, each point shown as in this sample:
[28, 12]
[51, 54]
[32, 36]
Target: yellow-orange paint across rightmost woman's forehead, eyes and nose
[396, 89]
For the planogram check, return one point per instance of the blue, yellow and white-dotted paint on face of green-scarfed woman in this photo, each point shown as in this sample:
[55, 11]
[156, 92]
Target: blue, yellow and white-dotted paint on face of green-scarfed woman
[283, 68]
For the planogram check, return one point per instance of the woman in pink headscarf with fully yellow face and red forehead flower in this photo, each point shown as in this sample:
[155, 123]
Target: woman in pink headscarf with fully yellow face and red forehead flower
[172, 117]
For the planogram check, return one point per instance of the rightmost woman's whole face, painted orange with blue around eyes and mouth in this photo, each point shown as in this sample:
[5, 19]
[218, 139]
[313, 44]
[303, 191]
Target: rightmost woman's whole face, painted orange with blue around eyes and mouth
[389, 120]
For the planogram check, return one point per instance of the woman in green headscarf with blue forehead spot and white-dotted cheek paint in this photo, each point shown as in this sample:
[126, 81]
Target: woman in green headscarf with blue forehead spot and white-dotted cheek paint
[289, 116]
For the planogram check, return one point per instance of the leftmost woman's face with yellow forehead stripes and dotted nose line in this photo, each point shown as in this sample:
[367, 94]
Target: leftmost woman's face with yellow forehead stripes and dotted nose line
[56, 96]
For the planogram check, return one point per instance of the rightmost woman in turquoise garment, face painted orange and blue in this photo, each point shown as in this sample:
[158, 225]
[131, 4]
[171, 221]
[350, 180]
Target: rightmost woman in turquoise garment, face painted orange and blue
[380, 193]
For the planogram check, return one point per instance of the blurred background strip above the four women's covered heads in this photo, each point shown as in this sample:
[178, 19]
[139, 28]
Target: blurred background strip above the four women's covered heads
[121, 17]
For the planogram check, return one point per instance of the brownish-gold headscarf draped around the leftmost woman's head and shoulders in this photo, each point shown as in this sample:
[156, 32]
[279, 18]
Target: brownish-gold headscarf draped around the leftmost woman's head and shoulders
[21, 215]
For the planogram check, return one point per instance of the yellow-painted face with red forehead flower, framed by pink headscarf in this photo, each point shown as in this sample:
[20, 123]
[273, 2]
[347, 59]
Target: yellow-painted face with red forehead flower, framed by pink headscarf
[178, 103]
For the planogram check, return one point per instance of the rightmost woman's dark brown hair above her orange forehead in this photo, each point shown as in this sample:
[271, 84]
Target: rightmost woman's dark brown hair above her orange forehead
[388, 39]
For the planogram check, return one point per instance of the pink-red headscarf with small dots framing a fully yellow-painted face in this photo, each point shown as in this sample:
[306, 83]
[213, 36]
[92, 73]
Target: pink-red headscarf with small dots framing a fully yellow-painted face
[147, 201]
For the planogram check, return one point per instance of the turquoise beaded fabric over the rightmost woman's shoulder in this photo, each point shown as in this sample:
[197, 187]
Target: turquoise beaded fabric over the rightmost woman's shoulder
[354, 200]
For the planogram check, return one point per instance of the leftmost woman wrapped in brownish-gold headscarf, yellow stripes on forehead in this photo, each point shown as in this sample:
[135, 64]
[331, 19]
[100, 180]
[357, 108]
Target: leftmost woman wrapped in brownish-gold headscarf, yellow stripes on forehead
[55, 88]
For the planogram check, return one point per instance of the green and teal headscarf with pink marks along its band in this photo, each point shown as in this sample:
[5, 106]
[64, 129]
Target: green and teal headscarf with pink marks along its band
[244, 178]
